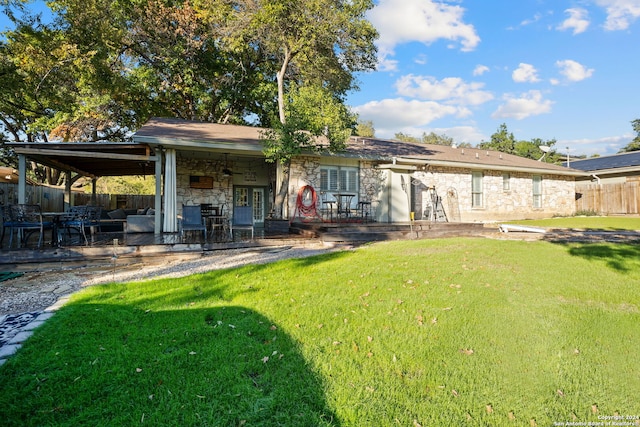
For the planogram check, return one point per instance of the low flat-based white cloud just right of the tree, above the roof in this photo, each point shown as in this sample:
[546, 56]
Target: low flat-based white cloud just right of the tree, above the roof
[392, 115]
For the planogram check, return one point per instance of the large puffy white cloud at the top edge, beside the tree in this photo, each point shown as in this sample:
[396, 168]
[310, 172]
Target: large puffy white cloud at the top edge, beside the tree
[424, 21]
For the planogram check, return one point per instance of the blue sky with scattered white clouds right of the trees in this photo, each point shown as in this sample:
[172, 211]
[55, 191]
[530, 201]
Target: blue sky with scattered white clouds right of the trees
[549, 69]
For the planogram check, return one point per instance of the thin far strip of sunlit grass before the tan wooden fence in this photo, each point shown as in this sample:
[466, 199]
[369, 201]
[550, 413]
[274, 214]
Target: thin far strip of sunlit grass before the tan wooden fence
[609, 223]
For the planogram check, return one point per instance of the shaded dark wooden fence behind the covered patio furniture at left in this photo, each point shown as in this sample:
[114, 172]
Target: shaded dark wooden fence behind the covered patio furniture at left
[52, 199]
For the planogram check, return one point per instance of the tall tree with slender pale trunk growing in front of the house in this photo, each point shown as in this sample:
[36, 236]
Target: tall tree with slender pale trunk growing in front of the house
[318, 44]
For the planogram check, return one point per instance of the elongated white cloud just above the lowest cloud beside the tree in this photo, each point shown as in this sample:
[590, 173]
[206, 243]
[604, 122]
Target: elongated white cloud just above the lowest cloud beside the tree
[451, 89]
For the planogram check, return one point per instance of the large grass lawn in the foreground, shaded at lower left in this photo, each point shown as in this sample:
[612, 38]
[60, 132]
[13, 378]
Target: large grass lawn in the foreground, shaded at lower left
[413, 333]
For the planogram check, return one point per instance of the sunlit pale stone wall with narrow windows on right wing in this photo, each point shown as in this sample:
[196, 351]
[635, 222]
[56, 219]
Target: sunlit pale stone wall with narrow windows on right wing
[451, 184]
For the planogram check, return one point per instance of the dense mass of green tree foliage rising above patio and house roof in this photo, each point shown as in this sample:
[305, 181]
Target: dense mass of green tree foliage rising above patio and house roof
[104, 67]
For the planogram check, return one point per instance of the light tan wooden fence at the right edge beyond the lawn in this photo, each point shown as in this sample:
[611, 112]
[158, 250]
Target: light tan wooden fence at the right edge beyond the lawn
[609, 199]
